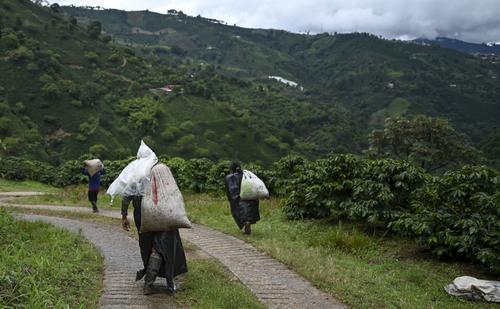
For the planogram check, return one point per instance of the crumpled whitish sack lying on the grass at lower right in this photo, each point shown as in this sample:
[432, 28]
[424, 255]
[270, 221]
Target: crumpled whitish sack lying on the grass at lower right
[472, 288]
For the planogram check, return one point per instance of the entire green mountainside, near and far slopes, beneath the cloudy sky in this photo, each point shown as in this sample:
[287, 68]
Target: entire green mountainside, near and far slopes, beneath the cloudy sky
[67, 88]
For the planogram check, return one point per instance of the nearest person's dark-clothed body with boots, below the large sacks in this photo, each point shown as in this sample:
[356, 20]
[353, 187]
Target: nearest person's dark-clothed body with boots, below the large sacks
[162, 253]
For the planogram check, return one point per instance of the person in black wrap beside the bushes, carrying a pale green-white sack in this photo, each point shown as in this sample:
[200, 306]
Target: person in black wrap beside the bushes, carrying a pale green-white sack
[245, 212]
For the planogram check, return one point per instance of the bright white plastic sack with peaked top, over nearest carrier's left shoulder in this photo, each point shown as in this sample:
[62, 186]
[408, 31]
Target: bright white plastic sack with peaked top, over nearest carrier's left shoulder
[135, 175]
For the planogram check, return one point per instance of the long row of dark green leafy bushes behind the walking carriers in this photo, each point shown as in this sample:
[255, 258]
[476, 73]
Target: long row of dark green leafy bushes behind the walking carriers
[457, 214]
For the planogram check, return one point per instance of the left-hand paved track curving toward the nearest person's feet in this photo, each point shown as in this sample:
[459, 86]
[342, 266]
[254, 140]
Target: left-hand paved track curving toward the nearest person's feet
[121, 260]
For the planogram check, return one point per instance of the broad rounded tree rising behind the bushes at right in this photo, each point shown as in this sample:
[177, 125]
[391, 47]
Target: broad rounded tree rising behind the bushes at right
[431, 143]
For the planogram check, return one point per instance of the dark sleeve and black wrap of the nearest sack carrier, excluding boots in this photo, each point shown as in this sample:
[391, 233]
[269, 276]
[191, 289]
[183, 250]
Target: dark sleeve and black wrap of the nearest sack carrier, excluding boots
[168, 244]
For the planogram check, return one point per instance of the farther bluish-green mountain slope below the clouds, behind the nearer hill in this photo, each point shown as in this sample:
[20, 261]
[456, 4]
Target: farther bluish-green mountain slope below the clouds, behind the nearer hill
[370, 77]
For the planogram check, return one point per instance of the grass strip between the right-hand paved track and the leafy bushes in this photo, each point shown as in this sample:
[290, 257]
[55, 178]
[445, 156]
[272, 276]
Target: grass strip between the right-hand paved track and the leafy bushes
[362, 268]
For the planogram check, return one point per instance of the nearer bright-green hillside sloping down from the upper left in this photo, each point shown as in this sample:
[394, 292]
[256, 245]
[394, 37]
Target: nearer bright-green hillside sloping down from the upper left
[67, 90]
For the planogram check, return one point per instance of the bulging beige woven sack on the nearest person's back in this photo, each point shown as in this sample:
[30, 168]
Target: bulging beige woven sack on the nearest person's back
[162, 207]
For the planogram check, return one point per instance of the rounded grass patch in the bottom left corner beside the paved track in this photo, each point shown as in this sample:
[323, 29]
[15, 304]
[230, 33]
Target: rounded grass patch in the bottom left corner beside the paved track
[36, 270]
